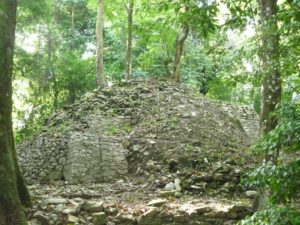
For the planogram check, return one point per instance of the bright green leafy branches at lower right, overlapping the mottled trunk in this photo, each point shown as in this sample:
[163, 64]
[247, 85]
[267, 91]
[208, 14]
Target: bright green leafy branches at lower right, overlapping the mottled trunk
[281, 180]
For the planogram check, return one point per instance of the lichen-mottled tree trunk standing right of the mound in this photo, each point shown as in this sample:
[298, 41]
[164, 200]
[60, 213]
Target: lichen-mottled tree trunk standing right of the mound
[271, 83]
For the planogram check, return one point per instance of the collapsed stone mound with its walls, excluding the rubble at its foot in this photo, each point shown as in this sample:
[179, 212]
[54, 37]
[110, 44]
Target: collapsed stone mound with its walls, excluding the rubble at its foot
[129, 126]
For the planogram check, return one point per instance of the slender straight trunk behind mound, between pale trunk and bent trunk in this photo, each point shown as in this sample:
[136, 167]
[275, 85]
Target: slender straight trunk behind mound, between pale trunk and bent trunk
[128, 68]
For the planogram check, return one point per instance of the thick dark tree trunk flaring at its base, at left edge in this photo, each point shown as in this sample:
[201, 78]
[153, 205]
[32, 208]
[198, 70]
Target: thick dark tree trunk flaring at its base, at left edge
[11, 211]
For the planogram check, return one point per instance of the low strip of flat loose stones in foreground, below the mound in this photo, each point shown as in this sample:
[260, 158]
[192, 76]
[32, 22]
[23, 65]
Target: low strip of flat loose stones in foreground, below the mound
[129, 203]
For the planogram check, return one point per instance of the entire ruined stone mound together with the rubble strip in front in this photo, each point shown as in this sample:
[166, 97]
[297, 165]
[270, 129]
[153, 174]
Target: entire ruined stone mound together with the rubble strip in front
[171, 157]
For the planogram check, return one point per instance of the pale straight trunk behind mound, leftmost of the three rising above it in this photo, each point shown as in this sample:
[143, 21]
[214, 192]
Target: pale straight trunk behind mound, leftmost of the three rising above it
[100, 43]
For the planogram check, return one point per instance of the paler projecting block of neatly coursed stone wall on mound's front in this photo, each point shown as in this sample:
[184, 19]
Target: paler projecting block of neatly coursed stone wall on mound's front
[95, 155]
